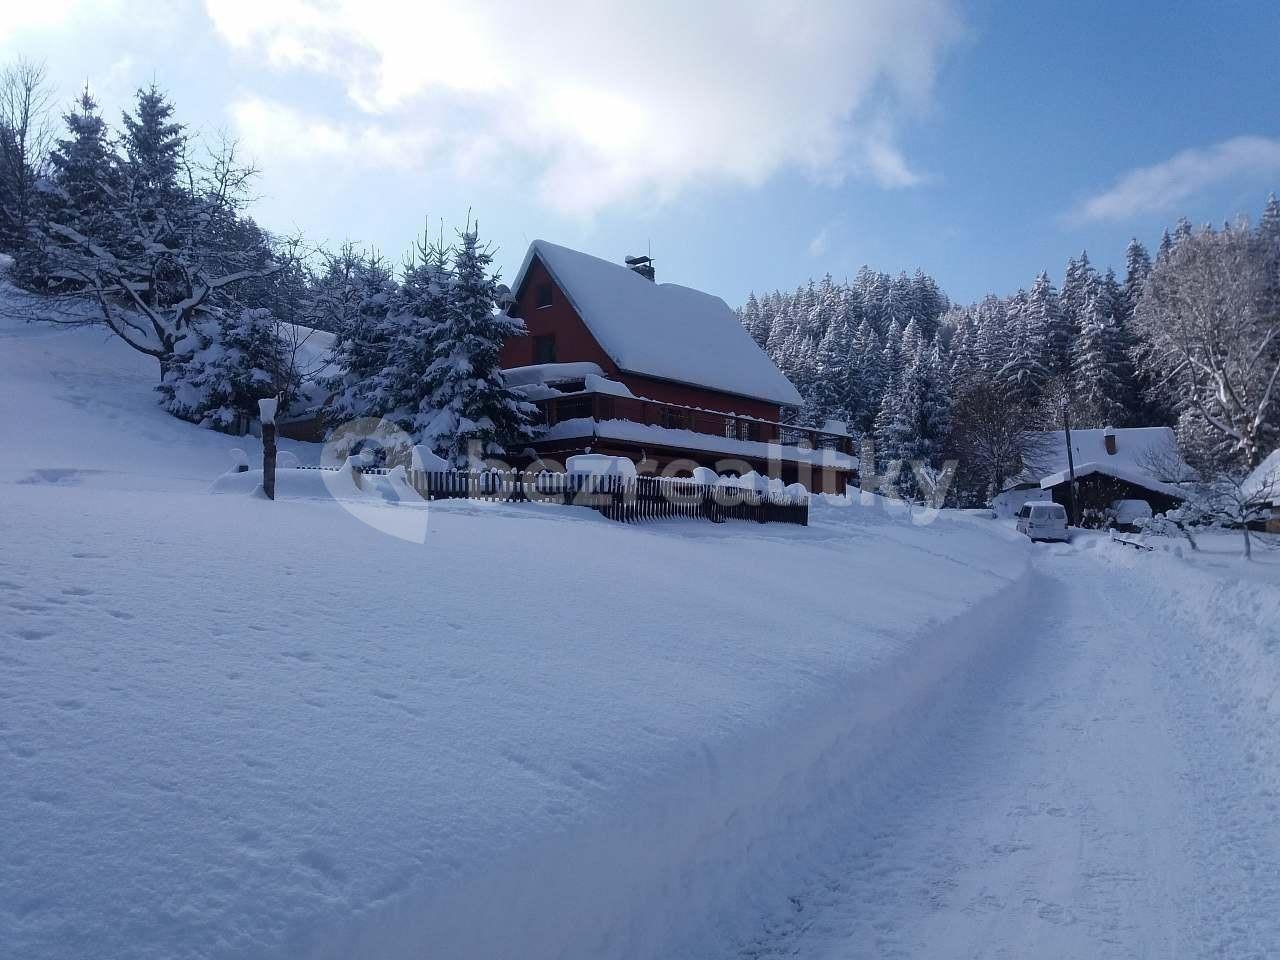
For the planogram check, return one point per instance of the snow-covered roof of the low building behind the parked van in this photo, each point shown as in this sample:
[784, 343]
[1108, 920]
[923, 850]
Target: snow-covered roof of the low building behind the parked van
[1139, 450]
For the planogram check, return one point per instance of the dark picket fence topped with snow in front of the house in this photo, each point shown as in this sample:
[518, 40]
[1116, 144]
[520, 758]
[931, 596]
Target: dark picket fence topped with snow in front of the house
[624, 499]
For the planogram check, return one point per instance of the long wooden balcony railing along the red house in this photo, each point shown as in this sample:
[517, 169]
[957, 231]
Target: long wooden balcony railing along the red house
[605, 406]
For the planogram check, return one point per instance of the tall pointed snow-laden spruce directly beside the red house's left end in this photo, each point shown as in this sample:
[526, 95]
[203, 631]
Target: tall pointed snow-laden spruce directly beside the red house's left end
[469, 409]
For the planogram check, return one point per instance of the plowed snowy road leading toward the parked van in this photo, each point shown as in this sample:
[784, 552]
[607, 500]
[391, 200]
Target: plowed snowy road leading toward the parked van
[1085, 799]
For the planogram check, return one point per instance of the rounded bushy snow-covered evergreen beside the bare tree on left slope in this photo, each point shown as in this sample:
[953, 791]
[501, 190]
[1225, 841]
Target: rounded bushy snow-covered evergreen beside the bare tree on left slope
[244, 360]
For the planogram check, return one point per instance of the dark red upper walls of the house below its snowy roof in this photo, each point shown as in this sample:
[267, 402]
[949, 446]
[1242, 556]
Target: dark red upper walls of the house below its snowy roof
[575, 344]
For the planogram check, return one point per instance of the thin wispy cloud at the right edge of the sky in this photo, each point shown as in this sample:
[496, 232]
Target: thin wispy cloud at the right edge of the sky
[1162, 188]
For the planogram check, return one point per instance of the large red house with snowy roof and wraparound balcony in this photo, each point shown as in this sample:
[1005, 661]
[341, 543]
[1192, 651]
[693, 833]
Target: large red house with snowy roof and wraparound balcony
[659, 373]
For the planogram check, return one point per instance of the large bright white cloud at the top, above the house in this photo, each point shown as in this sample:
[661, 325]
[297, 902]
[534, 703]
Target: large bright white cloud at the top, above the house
[611, 102]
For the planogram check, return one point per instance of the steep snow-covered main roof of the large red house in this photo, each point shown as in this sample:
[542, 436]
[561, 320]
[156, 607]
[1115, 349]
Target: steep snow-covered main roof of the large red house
[662, 330]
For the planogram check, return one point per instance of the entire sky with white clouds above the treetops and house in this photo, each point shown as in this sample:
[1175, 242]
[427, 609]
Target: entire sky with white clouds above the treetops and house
[751, 145]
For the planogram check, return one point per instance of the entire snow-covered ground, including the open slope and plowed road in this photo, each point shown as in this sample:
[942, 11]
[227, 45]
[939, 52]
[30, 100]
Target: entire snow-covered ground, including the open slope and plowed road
[239, 729]
